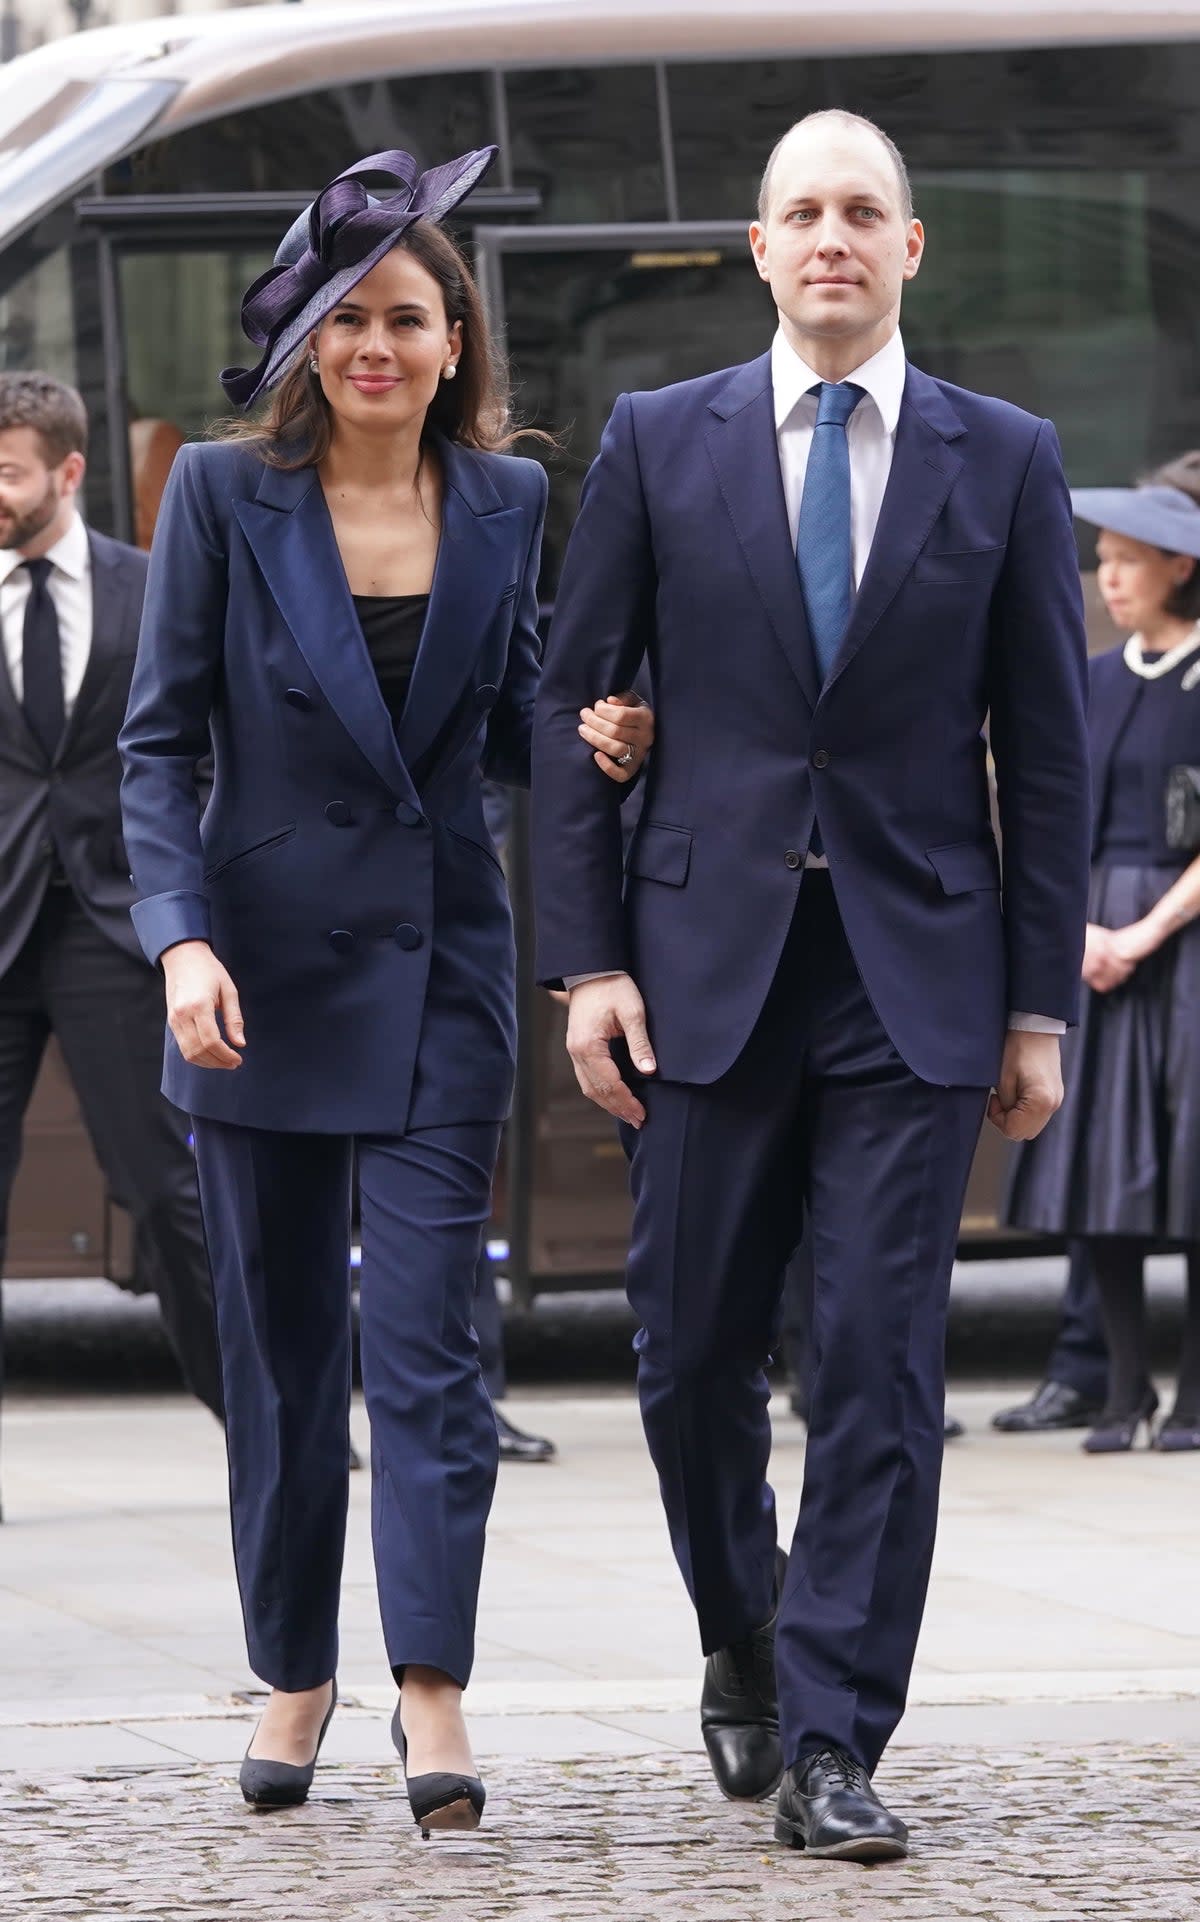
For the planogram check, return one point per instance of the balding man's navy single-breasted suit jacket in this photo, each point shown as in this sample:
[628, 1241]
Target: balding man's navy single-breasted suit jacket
[970, 608]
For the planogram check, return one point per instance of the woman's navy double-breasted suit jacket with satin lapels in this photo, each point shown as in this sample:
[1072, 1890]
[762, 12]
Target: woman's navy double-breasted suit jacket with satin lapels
[343, 870]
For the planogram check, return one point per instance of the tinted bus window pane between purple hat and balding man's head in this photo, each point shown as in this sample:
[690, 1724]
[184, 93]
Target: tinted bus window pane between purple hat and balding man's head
[587, 139]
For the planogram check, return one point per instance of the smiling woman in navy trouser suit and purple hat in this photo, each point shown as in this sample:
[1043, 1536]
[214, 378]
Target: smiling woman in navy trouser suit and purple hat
[343, 599]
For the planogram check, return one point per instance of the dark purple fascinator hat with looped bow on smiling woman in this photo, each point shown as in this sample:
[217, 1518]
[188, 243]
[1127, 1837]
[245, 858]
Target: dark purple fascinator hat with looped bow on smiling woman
[334, 247]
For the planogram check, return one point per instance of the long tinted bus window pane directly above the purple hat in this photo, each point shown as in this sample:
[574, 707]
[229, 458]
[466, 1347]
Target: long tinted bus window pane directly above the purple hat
[295, 145]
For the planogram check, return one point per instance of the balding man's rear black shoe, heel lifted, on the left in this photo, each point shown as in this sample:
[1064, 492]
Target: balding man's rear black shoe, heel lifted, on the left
[739, 1710]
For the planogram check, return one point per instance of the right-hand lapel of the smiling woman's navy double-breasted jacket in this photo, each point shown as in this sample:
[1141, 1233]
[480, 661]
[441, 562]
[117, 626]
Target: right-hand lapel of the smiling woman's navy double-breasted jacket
[478, 558]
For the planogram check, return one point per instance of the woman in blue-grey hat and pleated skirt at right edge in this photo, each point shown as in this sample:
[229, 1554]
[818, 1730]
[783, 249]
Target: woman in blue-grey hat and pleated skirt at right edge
[1120, 1168]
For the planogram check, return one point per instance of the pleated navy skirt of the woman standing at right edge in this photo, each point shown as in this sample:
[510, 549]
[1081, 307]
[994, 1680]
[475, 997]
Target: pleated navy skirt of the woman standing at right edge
[1124, 1152]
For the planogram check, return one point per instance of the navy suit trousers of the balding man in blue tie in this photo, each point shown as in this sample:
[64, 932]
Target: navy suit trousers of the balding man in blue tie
[820, 1114]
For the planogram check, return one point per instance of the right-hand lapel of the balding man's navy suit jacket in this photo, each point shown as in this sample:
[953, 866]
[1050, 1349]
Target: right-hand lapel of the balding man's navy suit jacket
[924, 472]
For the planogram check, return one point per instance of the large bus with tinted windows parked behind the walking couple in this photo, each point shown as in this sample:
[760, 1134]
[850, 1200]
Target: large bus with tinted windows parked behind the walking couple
[1055, 145]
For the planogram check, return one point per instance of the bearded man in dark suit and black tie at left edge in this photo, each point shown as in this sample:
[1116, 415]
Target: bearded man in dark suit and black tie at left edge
[70, 960]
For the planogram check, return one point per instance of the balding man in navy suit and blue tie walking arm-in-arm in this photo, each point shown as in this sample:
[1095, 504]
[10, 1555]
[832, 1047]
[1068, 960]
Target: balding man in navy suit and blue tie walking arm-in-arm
[837, 570]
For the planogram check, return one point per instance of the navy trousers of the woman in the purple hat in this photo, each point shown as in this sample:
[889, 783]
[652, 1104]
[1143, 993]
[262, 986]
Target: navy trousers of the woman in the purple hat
[278, 1223]
